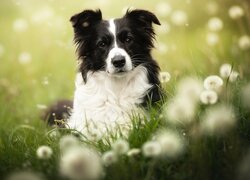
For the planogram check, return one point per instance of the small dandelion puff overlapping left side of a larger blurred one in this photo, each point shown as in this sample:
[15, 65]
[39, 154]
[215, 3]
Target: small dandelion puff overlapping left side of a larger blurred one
[151, 149]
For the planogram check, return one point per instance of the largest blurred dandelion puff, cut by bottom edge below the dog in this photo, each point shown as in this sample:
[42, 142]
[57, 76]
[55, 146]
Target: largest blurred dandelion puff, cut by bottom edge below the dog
[81, 163]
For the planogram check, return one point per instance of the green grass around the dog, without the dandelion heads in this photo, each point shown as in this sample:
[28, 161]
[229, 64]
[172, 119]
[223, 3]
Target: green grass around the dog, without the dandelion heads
[49, 41]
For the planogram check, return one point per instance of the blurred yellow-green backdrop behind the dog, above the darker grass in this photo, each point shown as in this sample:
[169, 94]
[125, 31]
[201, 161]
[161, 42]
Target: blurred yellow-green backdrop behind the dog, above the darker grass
[37, 54]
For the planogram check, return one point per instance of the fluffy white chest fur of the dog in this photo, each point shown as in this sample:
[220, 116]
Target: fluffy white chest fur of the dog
[106, 101]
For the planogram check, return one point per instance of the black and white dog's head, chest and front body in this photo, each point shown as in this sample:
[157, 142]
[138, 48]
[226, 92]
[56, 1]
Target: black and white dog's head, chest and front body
[117, 73]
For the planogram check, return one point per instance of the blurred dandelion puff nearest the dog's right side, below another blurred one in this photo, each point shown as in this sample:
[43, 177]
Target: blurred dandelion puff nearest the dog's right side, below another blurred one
[180, 110]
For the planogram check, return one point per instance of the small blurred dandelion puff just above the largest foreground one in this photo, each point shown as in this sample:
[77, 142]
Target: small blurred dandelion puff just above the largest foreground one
[68, 141]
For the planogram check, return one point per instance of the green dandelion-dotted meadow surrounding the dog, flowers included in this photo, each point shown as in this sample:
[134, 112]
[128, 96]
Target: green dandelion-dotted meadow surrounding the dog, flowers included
[201, 130]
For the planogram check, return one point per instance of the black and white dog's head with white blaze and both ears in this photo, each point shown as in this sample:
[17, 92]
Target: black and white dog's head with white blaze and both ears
[115, 46]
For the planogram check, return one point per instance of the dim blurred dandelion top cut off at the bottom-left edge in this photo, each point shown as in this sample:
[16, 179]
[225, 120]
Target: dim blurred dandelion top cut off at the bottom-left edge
[24, 175]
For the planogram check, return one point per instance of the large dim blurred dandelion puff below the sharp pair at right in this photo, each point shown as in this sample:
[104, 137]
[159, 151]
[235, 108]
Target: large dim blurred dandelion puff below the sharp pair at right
[218, 120]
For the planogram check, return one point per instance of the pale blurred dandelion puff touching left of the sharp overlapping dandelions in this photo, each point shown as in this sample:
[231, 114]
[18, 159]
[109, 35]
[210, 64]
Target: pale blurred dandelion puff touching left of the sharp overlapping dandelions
[190, 88]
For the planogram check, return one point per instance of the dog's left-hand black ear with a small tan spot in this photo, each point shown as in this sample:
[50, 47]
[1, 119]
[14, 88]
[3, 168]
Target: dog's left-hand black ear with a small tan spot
[86, 18]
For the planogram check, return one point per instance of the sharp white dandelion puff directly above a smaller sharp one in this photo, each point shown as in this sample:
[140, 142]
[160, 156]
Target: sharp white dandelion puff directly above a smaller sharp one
[213, 82]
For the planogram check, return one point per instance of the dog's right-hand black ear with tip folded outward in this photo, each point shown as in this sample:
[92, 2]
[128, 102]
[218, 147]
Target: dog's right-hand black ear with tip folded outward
[142, 16]
